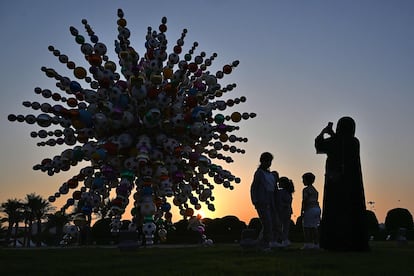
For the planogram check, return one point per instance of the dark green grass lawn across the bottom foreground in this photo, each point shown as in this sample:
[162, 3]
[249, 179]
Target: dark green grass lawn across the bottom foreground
[385, 258]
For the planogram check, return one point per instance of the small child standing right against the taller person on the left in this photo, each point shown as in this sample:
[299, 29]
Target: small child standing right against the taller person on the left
[285, 207]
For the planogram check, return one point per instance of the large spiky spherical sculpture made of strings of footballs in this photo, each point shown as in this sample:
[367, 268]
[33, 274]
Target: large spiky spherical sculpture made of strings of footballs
[150, 130]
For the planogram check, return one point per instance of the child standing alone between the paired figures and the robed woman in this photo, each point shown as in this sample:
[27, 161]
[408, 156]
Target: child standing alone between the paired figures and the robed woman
[311, 212]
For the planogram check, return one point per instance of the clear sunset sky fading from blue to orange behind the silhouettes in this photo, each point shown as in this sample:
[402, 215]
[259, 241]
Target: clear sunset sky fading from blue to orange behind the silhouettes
[302, 64]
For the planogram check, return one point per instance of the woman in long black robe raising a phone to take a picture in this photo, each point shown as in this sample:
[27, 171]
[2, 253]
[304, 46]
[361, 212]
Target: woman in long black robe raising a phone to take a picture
[343, 225]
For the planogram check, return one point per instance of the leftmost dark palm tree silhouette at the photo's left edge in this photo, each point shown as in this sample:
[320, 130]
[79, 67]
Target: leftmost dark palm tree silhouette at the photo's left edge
[13, 210]
